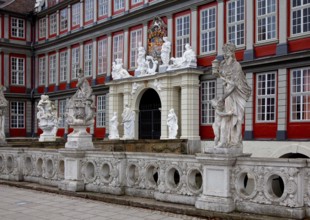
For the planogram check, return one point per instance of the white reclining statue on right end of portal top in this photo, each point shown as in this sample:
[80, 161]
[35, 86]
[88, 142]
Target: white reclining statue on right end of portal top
[188, 59]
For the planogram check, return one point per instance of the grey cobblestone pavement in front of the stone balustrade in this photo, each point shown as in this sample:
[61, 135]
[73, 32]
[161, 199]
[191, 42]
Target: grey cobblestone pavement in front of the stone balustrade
[24, 204]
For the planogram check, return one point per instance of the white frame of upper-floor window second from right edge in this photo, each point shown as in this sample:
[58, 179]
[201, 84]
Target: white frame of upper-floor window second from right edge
[266, 16]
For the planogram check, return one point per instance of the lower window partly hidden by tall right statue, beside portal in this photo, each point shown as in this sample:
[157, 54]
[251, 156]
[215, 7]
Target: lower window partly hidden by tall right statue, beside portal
[208, 92]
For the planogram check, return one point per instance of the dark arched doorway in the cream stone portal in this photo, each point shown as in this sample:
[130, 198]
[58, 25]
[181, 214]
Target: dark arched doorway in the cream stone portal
[149, 115]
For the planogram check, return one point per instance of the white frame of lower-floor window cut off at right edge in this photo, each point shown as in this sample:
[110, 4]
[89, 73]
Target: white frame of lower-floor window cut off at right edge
[302, 93]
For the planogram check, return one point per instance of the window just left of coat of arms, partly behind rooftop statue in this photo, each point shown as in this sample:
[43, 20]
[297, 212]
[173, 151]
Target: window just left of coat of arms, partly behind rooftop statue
[135, 38]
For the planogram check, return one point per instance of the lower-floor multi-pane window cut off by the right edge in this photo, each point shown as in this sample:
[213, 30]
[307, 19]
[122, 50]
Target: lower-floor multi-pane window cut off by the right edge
[300, 94]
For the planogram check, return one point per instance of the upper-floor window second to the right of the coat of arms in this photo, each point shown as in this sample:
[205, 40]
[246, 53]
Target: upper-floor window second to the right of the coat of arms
[208, 30]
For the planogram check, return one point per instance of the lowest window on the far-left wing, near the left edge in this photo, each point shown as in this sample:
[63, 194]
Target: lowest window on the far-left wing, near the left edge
[17, 114]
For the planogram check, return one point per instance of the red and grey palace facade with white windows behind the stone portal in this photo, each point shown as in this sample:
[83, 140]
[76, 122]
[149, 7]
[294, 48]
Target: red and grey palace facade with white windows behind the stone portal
[42, 49]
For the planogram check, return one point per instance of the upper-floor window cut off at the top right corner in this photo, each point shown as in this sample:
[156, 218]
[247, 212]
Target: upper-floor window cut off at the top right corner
[300, 17]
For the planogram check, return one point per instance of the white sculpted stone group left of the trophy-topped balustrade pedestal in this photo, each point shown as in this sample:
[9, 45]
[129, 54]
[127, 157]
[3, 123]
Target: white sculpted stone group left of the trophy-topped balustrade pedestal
[48, 121]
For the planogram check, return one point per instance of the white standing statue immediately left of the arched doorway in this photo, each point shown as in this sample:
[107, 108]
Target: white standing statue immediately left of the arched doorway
[128, 122]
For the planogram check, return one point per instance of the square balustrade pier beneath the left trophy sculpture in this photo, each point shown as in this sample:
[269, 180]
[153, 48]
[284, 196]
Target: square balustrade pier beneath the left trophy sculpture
[73, 178]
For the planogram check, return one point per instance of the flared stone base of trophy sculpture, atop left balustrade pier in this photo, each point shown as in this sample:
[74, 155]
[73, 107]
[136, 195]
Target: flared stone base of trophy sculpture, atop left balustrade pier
[79, 138]
